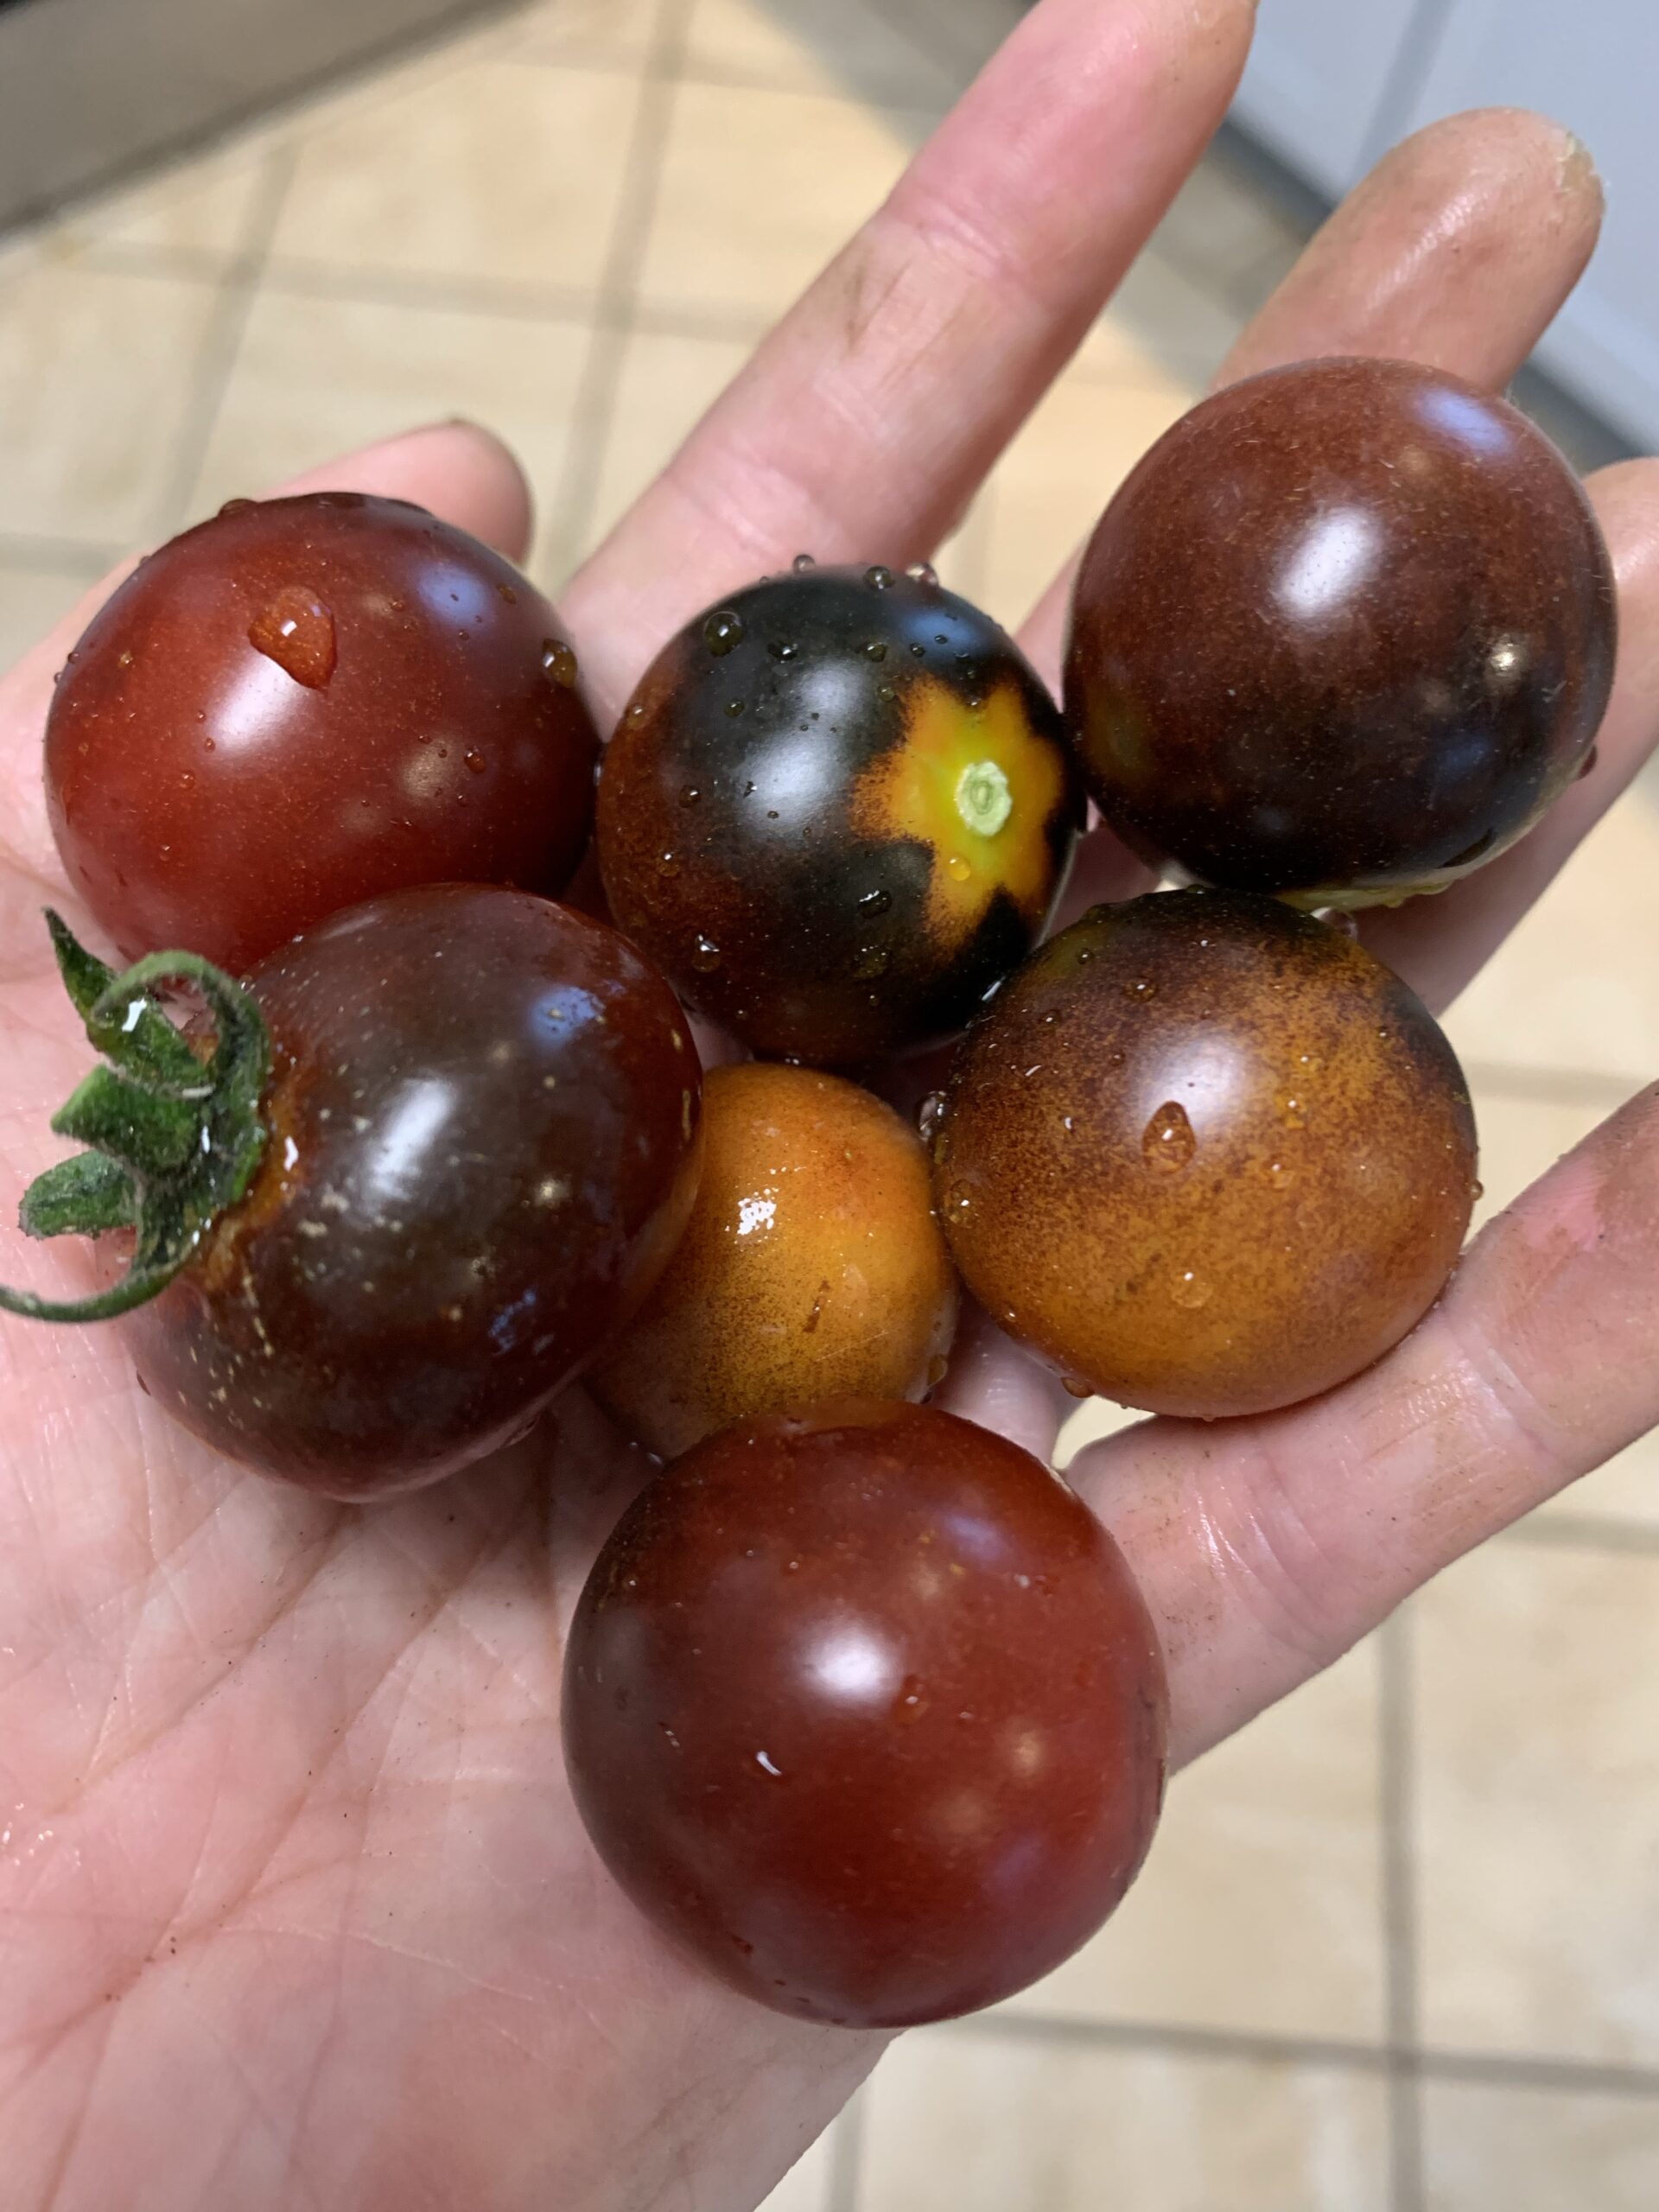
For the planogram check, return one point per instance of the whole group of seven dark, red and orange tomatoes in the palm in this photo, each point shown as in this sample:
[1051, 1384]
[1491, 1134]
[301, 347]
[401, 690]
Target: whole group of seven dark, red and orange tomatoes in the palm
[390, 1147]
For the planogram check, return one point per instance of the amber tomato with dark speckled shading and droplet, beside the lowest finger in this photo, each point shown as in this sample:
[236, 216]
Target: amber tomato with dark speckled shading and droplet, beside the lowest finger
[1207, 1156]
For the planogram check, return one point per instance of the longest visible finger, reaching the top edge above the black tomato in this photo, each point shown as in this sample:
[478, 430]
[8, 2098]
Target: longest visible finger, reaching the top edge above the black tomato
[870, 415]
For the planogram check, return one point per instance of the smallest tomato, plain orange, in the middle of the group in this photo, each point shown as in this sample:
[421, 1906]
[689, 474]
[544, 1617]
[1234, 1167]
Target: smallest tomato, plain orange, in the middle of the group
[813, 1266]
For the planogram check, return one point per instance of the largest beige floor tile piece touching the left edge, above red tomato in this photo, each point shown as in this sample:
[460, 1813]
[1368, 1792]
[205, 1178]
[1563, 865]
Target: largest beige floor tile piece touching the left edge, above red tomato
[96, 377]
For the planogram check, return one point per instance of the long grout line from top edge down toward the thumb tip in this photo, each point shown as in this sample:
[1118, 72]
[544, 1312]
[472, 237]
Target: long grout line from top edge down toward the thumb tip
[614, 320]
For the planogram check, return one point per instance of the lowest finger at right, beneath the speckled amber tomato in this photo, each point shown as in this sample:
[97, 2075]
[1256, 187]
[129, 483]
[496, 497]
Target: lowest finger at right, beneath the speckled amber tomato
[1269, 1547]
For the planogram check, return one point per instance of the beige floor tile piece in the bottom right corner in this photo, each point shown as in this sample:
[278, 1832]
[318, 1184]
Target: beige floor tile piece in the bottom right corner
[1538, 2151]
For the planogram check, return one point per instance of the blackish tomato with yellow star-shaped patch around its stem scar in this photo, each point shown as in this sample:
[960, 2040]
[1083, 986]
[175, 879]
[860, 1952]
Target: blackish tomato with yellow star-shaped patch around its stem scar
[837, 813]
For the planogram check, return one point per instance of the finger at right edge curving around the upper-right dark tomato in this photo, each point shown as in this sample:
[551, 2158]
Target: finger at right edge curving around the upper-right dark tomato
[1441, 943]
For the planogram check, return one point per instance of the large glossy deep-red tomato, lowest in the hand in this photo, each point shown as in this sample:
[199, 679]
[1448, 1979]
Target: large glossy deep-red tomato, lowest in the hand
[868, 1711]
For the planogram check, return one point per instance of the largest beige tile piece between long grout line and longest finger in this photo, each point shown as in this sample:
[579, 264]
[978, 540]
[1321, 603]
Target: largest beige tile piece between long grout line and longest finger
[760, 189]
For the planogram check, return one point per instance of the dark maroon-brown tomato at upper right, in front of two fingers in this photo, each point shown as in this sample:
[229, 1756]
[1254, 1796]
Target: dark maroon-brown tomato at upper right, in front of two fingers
[1344, 634]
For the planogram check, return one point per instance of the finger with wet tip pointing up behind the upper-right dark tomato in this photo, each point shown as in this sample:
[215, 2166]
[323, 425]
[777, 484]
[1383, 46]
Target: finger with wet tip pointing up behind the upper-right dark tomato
[1457, 251]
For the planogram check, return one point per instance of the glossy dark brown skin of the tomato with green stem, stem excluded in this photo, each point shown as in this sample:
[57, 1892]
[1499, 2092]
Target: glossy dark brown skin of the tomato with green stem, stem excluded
[483, 1149]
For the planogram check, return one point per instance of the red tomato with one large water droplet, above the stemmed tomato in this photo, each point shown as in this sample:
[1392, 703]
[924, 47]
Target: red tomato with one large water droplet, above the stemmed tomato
[304, 705]
